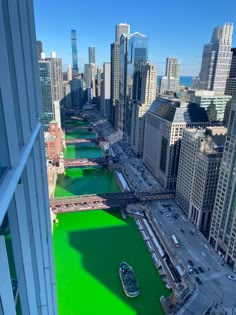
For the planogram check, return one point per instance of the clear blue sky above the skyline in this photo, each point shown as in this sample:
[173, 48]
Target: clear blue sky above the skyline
[175, 28]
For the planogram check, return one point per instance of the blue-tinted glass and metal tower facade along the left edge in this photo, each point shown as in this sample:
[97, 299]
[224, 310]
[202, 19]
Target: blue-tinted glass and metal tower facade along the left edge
[27, 283]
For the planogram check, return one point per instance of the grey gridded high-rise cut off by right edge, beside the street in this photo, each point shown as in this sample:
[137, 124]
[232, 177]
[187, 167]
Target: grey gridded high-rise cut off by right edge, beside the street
[223, 225]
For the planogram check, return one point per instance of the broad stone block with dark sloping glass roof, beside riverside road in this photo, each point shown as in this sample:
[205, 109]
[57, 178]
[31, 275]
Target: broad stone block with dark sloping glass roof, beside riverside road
[164, 124]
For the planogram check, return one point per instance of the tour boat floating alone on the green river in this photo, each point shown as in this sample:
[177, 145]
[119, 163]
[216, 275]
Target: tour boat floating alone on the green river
[128, 280]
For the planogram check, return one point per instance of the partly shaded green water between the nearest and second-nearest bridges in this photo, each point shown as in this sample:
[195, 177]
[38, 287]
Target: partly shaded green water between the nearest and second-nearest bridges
[85, 180]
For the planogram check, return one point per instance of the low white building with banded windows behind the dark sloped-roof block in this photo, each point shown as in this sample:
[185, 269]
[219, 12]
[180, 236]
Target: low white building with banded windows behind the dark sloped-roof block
[214, 103]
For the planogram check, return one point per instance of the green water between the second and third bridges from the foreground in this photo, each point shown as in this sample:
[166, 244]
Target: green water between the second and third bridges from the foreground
[77, 151]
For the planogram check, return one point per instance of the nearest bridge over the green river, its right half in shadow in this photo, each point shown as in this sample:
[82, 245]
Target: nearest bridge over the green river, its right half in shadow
[104, 201]
